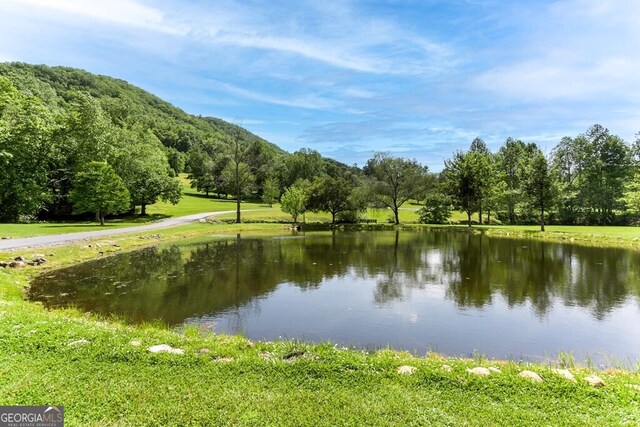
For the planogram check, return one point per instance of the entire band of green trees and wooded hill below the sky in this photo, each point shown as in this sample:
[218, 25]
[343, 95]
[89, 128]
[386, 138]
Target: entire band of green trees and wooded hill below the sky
[72, 142]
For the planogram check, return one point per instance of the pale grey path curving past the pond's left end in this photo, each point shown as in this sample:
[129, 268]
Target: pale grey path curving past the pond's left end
[58, 239]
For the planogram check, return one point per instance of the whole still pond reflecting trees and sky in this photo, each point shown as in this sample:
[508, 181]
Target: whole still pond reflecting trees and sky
[450, 292]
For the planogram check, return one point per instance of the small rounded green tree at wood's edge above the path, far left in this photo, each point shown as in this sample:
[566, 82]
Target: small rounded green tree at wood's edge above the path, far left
[97, 188]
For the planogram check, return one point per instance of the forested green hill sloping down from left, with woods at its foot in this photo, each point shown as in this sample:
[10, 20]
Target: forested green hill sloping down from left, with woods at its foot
[57, 122]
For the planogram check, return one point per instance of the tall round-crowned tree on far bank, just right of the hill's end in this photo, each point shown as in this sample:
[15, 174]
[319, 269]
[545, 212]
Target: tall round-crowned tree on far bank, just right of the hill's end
[394, 180]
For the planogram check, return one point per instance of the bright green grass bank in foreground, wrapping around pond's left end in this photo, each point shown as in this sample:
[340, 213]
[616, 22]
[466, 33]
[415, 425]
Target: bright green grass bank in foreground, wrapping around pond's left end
[95, 368]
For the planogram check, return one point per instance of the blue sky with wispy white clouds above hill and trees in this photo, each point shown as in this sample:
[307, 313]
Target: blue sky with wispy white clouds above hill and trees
[347, 78]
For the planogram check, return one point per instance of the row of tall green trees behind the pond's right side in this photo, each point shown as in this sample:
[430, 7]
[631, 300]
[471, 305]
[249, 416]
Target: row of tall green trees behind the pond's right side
[590, 179]
